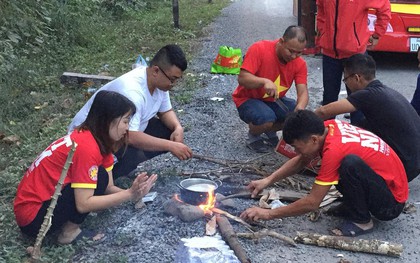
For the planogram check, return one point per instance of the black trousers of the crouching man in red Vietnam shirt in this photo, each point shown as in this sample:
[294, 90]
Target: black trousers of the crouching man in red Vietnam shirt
[365, 193]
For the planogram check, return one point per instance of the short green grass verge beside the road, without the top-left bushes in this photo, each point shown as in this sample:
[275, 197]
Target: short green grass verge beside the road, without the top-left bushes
[36, 108]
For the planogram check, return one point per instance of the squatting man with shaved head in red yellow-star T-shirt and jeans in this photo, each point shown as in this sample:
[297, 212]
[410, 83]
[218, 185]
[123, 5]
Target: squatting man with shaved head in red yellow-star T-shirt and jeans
[269, 69]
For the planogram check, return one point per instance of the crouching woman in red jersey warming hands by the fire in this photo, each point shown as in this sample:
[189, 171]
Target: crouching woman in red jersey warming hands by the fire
[84, 190]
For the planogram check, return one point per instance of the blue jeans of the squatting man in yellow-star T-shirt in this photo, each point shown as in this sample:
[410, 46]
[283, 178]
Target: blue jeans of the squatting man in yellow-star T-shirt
[258, 112]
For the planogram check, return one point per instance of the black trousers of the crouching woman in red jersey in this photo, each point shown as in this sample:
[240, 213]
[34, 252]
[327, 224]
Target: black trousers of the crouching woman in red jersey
[65, 209]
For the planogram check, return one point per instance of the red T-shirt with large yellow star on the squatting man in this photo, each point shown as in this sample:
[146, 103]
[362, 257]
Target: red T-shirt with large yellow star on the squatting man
[262, 61]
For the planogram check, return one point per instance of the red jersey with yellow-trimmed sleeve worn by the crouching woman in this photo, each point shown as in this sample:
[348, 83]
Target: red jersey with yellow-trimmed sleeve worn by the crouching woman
[38, 183]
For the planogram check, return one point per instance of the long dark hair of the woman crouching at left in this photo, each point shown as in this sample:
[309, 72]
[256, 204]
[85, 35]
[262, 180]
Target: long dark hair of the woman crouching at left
[106, 107]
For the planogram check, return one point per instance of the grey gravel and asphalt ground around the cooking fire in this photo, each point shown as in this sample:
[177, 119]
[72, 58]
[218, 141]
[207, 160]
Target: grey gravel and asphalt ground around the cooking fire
[214, 129]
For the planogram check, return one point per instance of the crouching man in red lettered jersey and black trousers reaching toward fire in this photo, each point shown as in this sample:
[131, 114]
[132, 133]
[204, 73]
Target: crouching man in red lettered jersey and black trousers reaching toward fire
[366, 171]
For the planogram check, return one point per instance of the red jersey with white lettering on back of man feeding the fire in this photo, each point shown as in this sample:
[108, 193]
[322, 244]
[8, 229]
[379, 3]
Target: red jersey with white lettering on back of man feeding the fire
[344, 139]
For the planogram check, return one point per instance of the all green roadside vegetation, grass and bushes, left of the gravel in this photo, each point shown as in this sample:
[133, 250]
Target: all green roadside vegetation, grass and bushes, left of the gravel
[39, 40]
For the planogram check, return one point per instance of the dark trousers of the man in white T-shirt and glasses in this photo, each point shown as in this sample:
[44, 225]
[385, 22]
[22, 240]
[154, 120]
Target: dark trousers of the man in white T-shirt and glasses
[128, 158]
